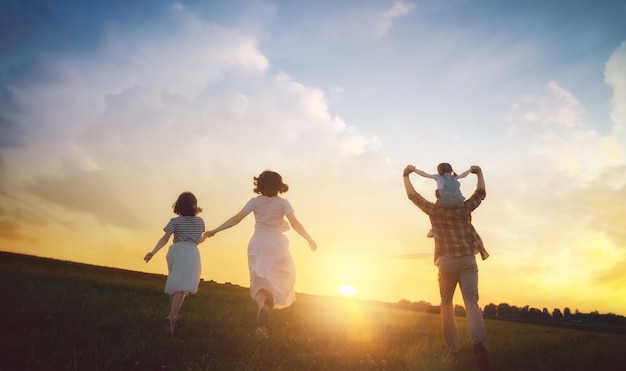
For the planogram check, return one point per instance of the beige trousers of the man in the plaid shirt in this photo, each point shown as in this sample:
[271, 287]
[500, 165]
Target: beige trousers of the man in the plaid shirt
[463, 271]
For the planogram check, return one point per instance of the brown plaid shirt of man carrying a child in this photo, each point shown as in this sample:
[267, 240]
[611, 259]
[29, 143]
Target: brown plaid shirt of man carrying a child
[454, 233]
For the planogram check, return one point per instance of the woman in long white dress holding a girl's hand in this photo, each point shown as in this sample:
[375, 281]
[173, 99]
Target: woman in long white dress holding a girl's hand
[272, 272]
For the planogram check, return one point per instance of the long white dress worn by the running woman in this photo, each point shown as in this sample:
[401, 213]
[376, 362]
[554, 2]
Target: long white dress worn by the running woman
[269, 261]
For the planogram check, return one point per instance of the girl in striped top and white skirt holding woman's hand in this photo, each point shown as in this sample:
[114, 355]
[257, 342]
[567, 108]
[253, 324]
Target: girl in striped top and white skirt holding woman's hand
[183, 256]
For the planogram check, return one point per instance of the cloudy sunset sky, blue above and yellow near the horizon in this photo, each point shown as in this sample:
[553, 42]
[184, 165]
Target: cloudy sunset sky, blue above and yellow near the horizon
[110, 109]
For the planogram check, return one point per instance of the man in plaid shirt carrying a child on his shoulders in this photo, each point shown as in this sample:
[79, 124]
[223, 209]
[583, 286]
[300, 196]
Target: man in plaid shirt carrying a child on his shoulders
[456, 244]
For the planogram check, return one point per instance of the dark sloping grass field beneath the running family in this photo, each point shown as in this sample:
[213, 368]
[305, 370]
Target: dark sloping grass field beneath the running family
[65, 316]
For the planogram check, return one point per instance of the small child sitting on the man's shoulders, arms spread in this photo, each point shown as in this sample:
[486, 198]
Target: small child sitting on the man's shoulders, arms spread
[448, 190]
